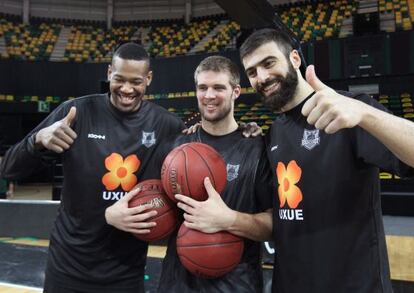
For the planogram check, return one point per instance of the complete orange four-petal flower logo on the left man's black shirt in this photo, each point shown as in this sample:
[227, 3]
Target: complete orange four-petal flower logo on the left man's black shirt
[121, 172]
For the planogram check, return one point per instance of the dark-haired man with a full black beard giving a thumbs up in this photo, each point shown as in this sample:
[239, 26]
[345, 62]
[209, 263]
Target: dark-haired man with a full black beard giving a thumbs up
[325, 148]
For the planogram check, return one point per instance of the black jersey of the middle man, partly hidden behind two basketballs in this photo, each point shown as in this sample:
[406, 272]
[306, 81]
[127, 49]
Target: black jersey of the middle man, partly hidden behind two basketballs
[249, 190]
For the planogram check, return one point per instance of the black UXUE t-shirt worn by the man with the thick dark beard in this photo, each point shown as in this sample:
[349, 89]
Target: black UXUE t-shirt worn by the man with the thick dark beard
[328, 229]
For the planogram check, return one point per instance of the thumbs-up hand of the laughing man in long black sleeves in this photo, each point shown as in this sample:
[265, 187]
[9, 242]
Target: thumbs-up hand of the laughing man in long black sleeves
[59, 136]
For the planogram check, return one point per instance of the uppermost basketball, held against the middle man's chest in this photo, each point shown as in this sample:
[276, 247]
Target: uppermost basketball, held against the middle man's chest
[185, 168]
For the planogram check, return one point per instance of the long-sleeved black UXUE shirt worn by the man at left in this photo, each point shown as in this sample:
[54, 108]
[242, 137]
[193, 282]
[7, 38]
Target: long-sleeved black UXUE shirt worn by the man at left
[112, 153]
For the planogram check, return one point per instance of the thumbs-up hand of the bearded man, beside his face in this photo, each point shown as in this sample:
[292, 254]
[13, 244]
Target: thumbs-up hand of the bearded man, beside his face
[328, 110]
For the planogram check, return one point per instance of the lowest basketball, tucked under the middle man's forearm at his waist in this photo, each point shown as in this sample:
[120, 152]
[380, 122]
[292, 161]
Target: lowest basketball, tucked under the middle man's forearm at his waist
[208, 255]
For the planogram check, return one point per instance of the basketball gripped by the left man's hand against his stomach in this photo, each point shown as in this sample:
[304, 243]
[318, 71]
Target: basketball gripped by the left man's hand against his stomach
[166, 219]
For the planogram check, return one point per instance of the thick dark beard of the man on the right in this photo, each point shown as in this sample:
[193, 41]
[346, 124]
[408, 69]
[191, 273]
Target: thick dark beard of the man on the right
[287, 88]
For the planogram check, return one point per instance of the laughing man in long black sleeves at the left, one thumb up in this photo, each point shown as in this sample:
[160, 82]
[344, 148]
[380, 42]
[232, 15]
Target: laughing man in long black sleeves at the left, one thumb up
[106, 142]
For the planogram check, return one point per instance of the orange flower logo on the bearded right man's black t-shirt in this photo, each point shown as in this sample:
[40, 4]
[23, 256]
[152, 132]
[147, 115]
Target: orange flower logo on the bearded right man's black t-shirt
[287, 178]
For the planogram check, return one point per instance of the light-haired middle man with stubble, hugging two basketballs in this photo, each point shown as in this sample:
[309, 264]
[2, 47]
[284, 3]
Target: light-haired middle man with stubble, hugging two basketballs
[243, 208]
